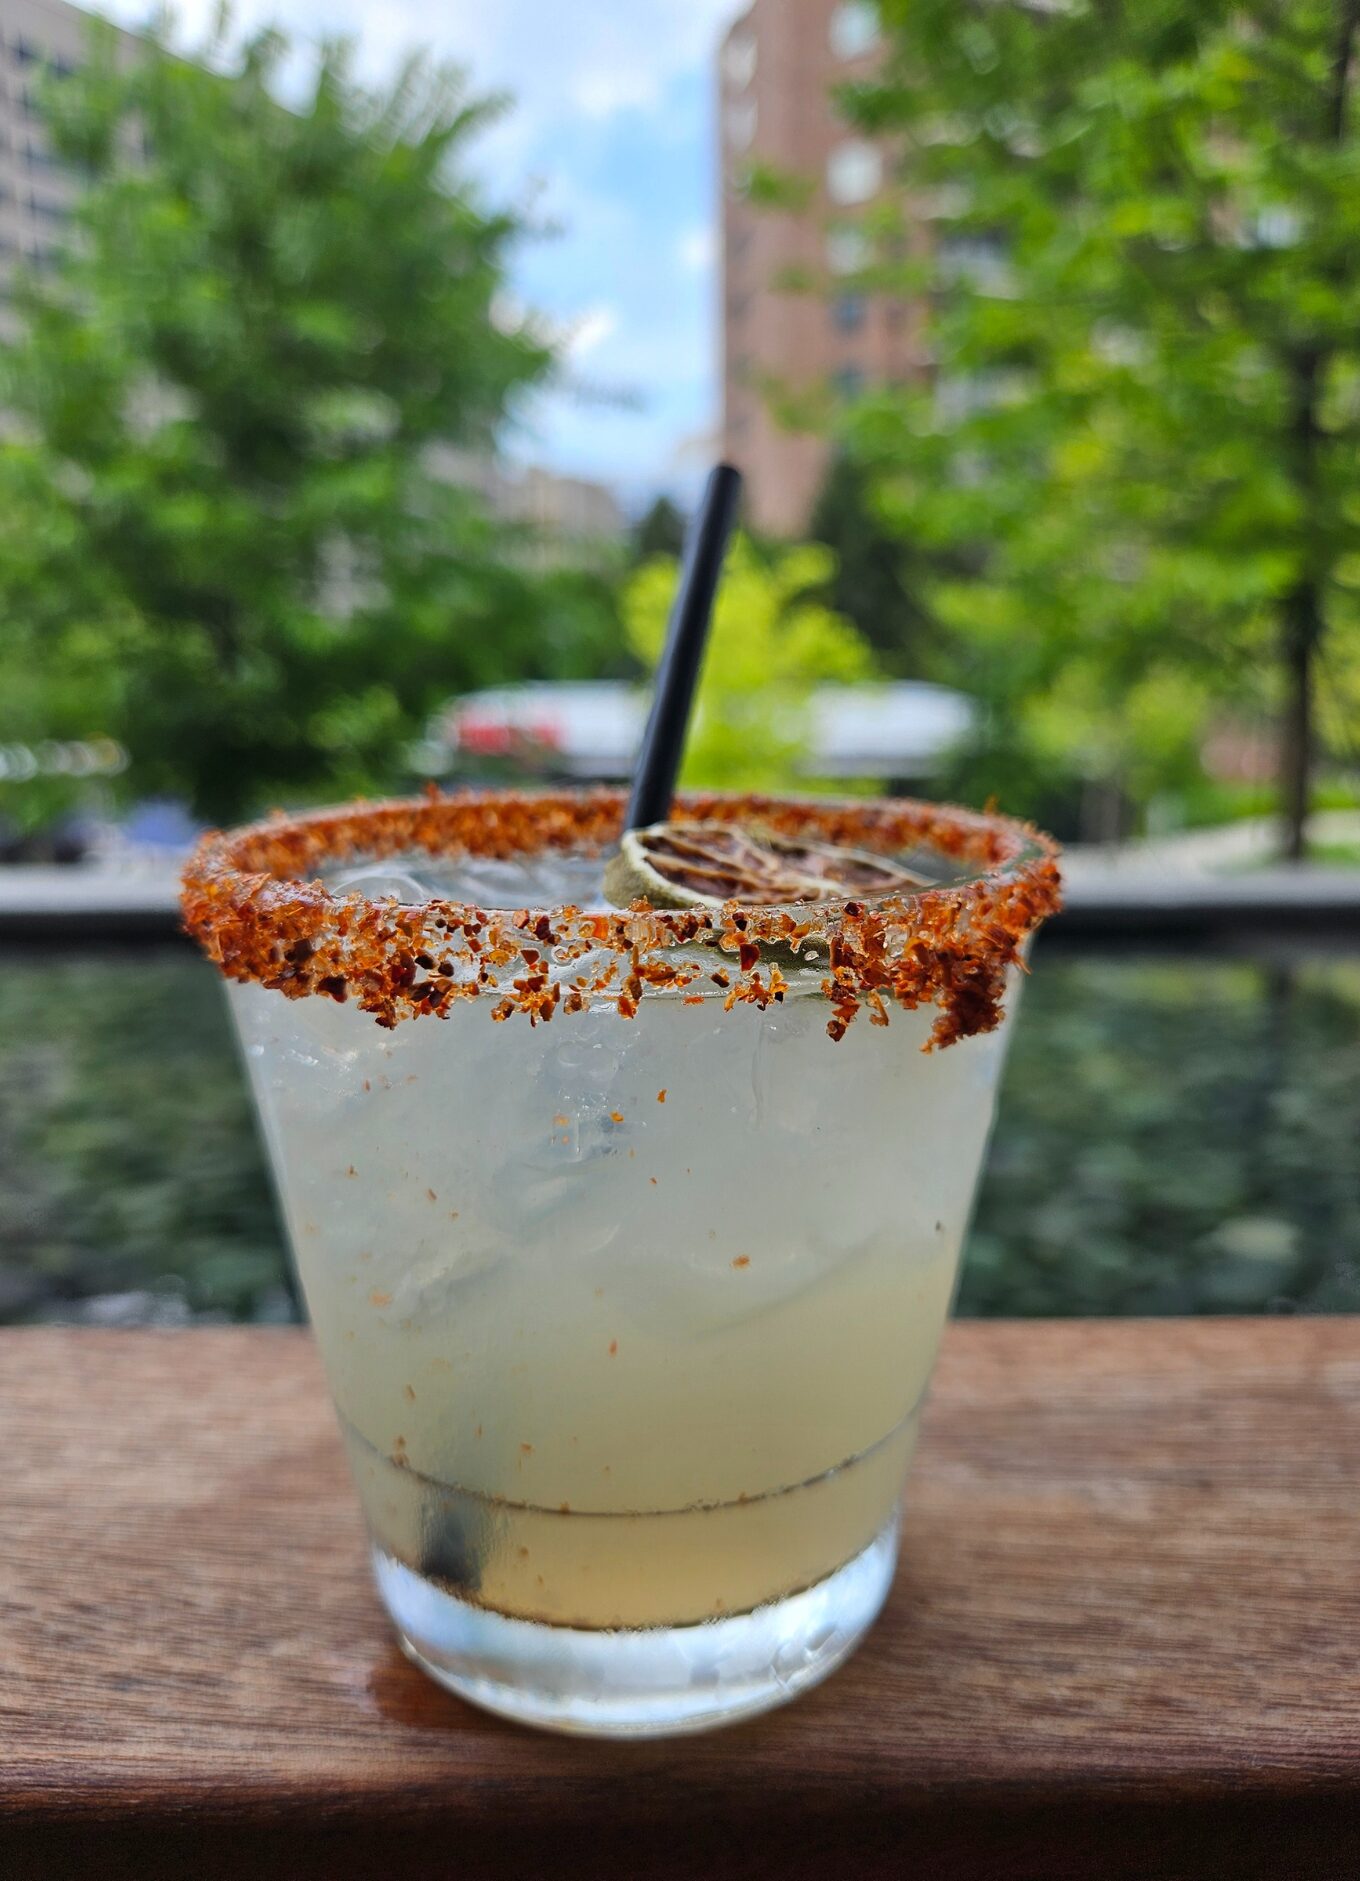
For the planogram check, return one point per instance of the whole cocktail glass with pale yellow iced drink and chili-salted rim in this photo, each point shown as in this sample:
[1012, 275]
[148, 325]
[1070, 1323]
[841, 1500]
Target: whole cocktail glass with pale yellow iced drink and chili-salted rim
[627, 1237]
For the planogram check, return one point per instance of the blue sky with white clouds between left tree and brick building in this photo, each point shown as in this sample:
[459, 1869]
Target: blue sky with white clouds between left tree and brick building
[612, 142]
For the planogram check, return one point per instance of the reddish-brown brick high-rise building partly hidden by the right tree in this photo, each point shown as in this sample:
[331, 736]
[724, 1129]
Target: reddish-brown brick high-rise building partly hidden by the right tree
[778, 69]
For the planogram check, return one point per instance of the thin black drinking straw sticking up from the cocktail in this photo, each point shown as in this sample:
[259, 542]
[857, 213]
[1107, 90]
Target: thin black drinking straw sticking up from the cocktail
[663, 744]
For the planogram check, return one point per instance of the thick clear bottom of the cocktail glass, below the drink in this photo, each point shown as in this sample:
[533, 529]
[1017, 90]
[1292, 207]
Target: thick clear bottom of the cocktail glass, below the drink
[644, 1683]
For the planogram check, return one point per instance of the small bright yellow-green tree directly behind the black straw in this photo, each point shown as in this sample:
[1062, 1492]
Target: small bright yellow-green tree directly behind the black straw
[770, 646]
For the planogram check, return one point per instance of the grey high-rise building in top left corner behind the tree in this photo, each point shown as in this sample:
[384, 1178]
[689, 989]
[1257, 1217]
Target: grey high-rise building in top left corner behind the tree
[37, 191]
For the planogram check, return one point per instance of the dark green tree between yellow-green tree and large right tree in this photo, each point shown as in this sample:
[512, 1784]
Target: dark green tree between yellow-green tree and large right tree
[874, 584]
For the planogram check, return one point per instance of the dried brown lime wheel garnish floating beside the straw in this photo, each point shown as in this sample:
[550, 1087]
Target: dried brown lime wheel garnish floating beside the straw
[708, 864]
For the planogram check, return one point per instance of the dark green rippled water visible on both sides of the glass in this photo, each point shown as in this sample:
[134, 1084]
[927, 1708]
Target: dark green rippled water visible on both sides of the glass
[1175, 1137]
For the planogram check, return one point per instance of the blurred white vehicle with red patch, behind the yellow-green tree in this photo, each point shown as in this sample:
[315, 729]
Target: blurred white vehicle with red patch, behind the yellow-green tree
[592, 729]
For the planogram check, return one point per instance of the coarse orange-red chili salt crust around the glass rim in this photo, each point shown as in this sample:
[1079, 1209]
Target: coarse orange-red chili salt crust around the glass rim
[251, 898]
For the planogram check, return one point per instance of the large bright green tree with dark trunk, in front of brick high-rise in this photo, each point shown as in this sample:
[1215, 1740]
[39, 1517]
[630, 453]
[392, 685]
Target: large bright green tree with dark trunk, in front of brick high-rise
[1145, 272]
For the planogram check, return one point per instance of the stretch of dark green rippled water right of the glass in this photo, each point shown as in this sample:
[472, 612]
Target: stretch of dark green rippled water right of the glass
[1177, 1137]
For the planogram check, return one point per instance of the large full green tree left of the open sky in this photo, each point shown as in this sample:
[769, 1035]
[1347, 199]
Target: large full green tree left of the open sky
[225, 531]
